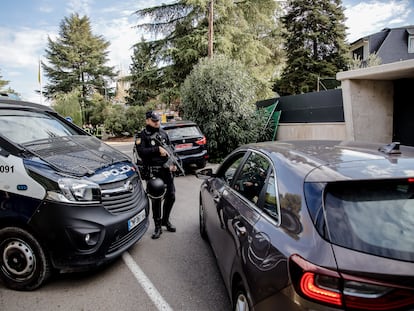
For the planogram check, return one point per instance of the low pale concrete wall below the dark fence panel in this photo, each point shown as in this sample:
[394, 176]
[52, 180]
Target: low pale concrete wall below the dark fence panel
[307, 131]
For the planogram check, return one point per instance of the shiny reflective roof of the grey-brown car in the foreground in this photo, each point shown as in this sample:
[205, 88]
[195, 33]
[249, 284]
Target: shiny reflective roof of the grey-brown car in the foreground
[330, 160]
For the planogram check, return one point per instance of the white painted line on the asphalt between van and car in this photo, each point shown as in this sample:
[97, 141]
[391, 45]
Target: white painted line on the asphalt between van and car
[146, 284]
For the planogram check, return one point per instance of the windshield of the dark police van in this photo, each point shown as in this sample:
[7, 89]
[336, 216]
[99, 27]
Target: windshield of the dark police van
[21, 126]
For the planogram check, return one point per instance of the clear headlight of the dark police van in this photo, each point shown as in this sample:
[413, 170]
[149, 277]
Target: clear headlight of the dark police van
[76, 191]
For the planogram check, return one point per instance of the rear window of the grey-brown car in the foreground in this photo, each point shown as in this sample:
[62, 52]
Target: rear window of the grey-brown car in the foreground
[372, 217]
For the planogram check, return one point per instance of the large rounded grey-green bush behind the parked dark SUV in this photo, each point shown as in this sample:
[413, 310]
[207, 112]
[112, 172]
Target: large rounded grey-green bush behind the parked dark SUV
[219, 94]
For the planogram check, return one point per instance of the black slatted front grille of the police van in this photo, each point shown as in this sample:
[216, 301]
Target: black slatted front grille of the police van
[122, 201]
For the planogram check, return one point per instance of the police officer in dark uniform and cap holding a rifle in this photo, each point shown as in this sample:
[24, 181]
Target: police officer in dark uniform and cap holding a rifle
[156, 160]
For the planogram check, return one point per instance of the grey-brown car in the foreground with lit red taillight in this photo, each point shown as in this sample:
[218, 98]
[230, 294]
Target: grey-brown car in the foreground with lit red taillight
[313, 225]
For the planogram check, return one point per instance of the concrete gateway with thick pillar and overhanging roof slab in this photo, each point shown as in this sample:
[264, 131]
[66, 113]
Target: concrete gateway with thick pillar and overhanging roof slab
[368, 98]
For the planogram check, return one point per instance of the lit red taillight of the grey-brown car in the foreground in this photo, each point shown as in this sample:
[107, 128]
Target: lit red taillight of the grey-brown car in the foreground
[330, 288]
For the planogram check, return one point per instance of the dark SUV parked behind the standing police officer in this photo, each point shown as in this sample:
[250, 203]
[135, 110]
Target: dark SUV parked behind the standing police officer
[189, 144]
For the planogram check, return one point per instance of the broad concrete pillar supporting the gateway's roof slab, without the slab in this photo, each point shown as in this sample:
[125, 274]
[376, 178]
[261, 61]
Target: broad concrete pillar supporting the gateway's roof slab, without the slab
[368, 110]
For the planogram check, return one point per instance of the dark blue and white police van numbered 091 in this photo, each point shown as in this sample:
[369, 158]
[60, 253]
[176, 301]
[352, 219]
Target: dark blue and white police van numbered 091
[68, 201]
